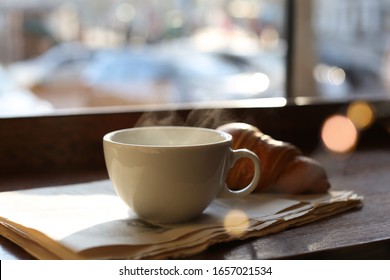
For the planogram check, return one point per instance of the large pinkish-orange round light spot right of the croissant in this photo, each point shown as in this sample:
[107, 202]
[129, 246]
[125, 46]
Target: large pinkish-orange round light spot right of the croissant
[339, 134]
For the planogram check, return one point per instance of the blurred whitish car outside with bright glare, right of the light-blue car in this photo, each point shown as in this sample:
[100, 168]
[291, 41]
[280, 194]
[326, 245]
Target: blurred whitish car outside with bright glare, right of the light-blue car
[214, 77]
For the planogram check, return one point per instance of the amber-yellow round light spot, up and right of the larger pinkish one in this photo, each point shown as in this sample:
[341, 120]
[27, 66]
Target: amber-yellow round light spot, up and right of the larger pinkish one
[361, 114]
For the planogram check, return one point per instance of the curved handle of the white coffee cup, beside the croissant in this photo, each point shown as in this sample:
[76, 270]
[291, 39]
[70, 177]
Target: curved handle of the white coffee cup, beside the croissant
[237, 154]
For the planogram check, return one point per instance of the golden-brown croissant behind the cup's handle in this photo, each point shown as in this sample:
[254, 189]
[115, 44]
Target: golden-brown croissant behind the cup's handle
[284, 167]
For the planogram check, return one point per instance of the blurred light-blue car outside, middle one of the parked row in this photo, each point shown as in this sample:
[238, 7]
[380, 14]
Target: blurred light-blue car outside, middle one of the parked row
[120, 77]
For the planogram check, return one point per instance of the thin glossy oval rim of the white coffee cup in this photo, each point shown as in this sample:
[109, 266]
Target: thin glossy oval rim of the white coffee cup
[225, 137]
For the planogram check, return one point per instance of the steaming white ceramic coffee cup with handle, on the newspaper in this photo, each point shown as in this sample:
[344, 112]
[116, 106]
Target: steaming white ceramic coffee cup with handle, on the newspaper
[169, 174]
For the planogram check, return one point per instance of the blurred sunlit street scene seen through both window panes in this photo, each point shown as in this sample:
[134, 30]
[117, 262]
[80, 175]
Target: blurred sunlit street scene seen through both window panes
[93, 53]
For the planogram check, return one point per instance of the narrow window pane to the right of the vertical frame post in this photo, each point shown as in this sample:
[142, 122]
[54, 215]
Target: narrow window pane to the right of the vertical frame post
[352, 47]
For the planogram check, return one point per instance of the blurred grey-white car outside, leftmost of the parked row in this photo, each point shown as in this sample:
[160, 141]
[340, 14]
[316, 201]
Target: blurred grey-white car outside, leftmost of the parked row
[55, 75]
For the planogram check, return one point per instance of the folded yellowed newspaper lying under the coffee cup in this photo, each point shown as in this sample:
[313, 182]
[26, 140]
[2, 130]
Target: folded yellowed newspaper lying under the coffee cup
[89, 221]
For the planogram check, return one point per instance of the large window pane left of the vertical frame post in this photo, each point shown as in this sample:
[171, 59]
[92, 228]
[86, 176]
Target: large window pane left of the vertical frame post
[89, 53]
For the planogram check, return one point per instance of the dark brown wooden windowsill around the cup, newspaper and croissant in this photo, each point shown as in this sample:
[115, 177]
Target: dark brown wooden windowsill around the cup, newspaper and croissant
[65, 149]
